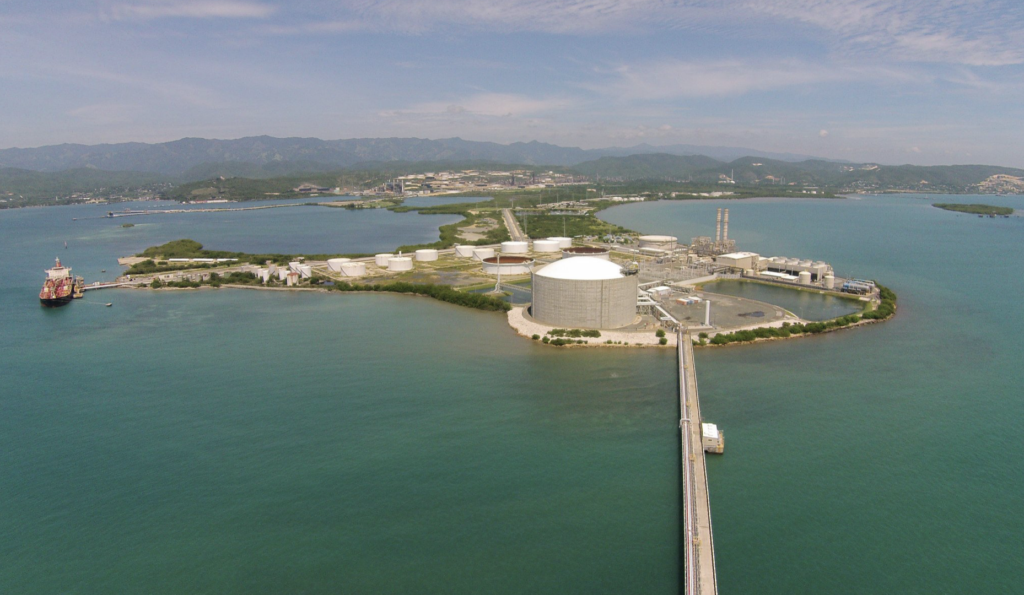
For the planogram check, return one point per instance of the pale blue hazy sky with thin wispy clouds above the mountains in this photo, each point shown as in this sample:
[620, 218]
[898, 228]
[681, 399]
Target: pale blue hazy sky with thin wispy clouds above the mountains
[894, 81]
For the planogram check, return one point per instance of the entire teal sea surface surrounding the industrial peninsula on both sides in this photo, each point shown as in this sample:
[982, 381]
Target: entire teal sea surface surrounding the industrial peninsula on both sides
[242, 442]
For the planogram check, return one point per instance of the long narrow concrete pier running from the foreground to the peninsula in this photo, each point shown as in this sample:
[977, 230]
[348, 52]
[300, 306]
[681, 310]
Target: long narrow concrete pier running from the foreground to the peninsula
[699, 545]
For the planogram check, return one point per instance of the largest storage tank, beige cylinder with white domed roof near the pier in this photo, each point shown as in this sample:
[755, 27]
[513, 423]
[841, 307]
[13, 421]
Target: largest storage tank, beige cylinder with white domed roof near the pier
[584, 292]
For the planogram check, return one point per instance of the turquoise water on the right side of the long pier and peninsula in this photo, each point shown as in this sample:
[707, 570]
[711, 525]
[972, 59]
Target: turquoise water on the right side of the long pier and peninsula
[884, 459]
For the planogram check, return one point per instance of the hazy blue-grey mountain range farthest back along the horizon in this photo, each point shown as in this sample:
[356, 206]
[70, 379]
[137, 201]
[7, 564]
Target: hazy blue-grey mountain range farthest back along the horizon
[267, 156]
